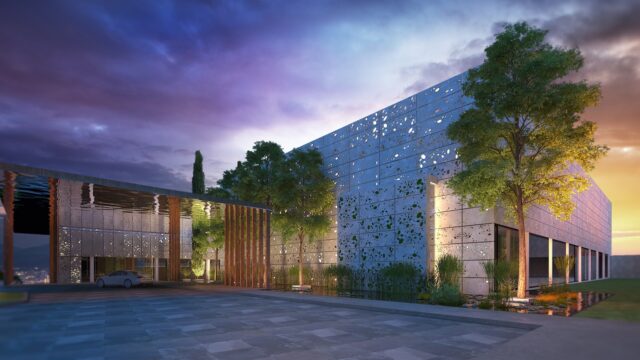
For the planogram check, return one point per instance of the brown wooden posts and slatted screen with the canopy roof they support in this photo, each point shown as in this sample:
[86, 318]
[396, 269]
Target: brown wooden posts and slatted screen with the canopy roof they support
[246, 234]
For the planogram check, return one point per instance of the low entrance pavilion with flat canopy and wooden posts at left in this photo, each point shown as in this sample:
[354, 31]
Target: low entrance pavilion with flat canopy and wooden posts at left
[84, 227]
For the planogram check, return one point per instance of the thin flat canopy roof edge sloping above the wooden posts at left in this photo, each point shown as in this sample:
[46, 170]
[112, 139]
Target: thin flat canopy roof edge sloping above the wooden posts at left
[121, 184]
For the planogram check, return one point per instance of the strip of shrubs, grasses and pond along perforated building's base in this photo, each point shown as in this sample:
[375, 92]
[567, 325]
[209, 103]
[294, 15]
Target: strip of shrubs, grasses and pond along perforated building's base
[404, 282]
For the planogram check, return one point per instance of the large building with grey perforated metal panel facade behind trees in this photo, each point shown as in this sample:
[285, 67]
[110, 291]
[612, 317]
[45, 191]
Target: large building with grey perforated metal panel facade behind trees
[393, 205]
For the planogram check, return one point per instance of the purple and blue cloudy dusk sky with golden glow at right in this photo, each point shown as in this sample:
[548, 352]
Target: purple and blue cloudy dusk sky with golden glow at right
[128, 90]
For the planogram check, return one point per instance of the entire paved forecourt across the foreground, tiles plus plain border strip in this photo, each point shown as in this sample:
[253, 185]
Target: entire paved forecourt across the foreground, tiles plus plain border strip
[215, 322]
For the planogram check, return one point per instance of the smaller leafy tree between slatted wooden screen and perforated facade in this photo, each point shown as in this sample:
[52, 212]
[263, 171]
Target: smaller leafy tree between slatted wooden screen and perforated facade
[302, 200]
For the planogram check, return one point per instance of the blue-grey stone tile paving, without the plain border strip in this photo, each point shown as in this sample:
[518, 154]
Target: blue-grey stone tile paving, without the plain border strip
[196, 325]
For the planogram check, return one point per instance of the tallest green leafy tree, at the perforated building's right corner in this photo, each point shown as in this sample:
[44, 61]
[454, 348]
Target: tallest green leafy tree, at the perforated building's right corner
[520, 141]
